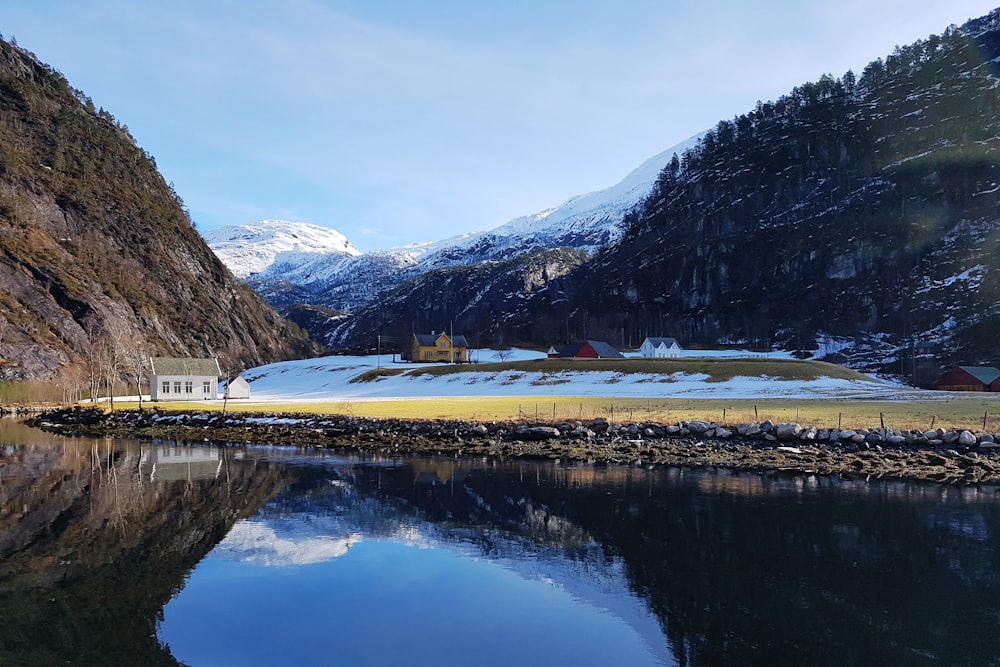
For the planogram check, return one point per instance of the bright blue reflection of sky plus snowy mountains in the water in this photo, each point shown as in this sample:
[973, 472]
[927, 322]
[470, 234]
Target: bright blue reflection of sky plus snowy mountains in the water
[341, 579]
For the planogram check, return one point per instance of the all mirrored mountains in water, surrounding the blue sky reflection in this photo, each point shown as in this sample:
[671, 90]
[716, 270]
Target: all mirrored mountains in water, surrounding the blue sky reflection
[709, 567]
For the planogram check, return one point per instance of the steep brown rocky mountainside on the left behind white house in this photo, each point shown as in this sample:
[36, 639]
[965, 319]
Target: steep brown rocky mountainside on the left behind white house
[93, 241]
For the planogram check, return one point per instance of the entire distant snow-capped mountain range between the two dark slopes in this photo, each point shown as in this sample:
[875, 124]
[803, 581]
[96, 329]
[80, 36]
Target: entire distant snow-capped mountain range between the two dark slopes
[294, 261]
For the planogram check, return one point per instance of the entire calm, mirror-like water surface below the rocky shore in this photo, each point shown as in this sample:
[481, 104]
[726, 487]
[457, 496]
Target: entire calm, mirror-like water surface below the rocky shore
[115, 552]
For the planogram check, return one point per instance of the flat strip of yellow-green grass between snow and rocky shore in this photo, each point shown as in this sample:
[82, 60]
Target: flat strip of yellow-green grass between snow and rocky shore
[926, 409]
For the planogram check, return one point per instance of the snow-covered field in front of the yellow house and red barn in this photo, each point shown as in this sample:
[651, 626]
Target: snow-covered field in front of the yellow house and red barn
[329, 378]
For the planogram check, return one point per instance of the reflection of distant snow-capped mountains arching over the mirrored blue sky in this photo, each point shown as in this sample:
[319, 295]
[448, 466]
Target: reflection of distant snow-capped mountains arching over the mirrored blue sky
[434, 503]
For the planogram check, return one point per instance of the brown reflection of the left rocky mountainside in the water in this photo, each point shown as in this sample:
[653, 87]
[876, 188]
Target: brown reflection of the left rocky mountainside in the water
[91, 549]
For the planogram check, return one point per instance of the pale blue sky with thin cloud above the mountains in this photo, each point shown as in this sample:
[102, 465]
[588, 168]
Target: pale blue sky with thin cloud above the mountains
[397, 122]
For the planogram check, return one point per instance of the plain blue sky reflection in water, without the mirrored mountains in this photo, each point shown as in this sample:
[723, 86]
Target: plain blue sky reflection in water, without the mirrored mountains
[384, 603]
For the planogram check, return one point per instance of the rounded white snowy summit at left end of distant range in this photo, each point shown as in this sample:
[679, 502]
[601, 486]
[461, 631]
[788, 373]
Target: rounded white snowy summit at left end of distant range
[256, 247]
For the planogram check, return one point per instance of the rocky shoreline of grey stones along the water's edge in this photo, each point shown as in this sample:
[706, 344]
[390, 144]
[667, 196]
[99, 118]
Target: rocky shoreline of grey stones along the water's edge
[939, 455]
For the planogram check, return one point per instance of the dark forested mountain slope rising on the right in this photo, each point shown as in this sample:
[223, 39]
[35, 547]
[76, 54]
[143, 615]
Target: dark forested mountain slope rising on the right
[855, 213]
